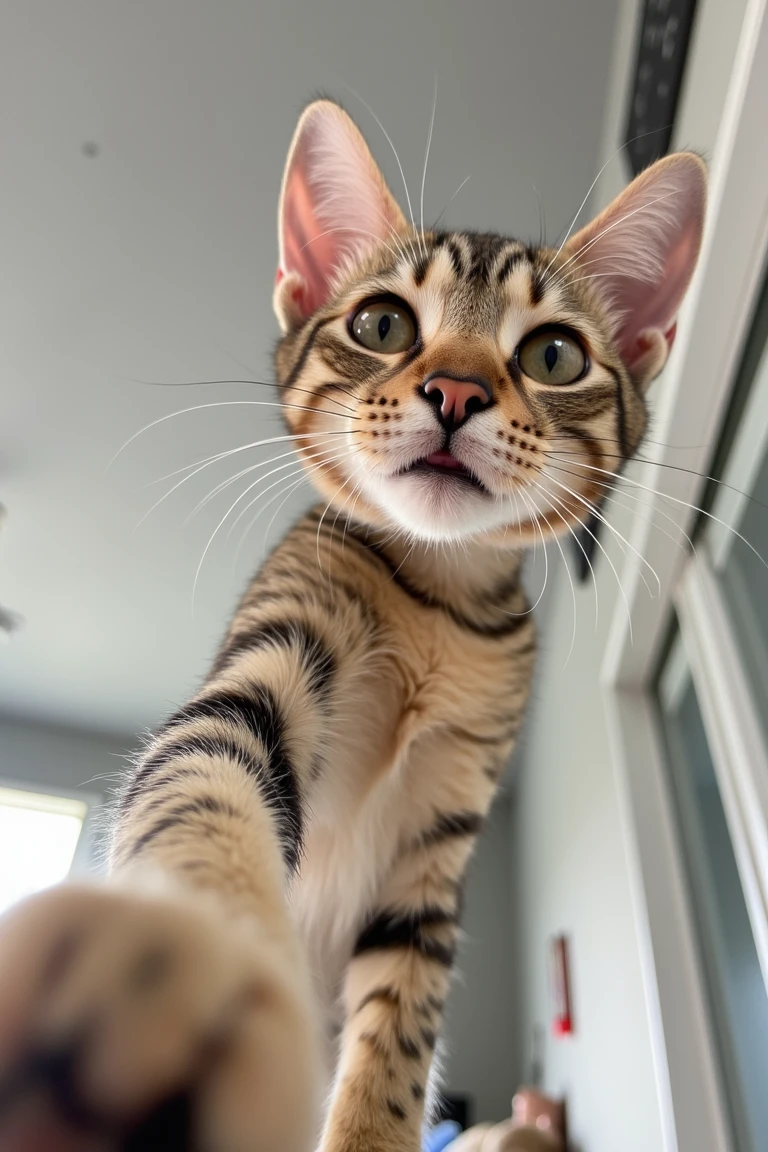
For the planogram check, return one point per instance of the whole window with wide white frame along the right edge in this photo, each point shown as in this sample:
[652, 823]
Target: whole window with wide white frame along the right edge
[687, 692]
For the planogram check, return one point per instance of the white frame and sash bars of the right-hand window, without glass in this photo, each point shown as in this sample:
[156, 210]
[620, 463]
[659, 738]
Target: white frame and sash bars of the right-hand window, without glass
[697, 385]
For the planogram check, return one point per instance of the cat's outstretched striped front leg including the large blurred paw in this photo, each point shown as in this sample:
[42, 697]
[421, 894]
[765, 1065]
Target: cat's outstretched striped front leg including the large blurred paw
[170, 1009]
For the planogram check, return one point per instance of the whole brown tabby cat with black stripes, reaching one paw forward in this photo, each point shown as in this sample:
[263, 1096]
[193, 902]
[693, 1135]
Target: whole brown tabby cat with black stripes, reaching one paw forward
[268, 965]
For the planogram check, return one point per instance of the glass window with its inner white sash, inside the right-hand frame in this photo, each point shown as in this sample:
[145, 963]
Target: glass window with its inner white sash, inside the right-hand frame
[713, 704]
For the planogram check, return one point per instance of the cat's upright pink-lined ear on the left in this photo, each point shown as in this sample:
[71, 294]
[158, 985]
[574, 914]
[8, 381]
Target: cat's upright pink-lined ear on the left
[334, 204]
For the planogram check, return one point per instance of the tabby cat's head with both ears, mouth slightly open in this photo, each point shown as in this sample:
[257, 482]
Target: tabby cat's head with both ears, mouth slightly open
[455, 384]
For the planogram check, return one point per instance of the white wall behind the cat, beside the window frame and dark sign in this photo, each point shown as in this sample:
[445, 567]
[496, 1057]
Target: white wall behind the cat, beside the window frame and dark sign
[569, 865]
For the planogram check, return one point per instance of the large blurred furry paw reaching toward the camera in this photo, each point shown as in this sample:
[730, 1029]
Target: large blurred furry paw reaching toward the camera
[132, 1021]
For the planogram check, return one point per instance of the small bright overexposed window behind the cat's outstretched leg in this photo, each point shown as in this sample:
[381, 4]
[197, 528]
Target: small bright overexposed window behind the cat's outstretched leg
[39, 838]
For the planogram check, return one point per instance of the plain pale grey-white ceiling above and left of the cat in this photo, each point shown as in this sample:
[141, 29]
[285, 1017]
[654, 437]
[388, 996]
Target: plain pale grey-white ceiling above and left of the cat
[155, 261]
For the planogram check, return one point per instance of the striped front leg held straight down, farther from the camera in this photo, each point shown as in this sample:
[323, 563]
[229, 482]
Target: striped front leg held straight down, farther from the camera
[397, 987]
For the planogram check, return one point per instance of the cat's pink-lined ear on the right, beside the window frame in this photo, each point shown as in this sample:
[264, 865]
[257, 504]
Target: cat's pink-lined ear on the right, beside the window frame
[643, 251]
